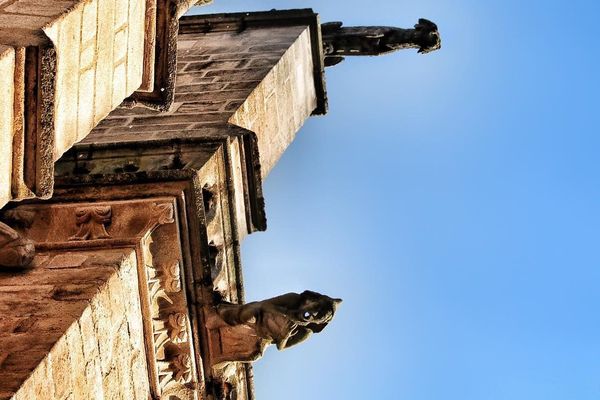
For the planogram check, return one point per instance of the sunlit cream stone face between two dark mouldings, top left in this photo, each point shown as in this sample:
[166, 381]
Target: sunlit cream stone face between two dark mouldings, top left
[100, 60]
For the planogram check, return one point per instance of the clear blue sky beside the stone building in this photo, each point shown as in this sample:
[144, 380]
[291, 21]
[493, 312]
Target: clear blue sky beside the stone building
[452, 199]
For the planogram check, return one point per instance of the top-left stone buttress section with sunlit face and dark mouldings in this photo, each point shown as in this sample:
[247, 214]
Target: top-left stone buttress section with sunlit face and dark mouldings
[65, 65]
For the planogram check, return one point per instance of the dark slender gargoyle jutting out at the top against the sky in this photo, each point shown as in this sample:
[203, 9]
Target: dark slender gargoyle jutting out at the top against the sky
[340, 41]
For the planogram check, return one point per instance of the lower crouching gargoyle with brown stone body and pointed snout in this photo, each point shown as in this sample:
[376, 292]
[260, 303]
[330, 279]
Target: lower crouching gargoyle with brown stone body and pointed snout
[245, 330]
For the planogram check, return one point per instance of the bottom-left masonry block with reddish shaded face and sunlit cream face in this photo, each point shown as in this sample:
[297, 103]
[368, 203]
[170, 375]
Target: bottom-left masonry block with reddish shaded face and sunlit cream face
[71, 328]
